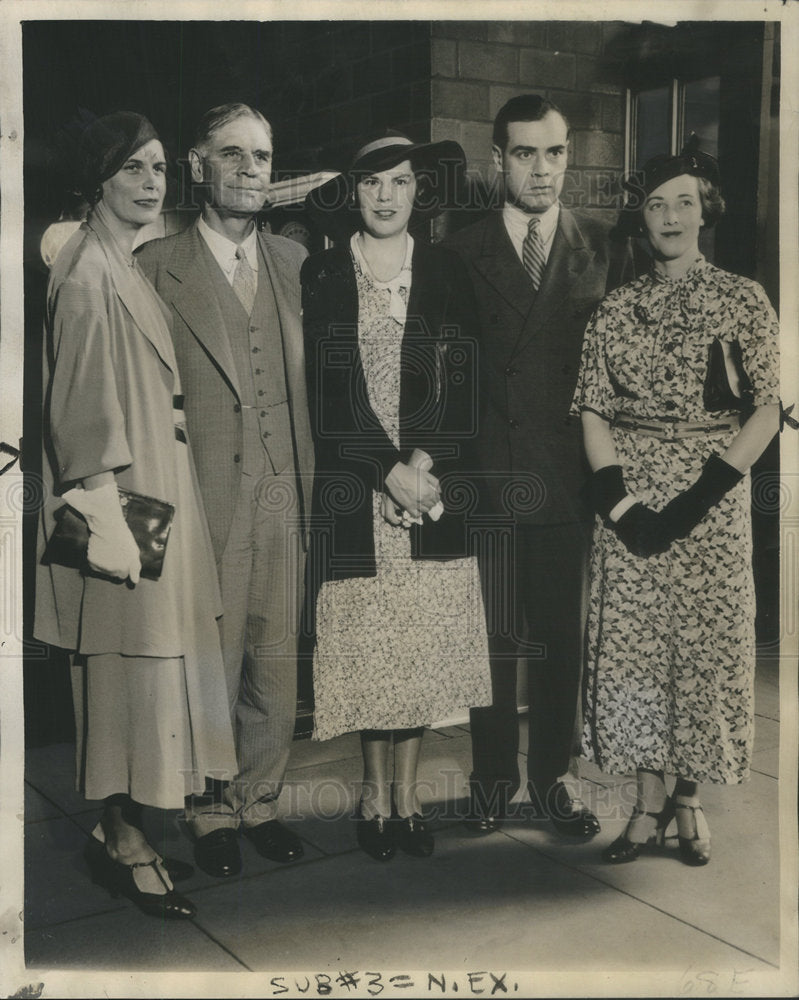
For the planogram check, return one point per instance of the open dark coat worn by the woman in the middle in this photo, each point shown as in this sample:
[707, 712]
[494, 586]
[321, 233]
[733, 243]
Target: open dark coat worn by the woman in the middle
[438, 408]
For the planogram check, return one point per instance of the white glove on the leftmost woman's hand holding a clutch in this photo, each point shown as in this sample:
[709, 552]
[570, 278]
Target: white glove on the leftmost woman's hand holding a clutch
[112, 547]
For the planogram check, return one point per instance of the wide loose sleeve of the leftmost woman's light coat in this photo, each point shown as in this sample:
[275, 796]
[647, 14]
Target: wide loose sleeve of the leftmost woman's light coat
[86, 420]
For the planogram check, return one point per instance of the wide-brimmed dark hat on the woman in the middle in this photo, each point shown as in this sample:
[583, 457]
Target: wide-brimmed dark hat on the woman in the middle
[439, 166]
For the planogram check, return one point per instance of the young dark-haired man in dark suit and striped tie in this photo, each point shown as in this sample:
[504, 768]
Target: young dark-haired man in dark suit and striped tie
[538, 271]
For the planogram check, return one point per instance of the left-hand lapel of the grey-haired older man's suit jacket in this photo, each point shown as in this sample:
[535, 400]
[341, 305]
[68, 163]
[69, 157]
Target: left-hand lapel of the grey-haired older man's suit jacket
[193, 299]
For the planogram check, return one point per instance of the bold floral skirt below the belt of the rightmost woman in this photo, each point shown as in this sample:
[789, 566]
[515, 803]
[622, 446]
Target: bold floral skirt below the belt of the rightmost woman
[669, 677]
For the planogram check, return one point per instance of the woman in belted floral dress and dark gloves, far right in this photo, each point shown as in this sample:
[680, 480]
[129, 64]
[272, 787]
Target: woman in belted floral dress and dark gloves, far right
[678, 393]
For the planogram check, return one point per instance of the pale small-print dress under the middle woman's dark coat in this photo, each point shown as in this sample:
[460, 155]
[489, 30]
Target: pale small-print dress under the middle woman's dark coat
[408, 647]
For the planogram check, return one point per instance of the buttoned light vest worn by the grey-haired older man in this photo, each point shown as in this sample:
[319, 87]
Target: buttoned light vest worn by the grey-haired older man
[256, 344]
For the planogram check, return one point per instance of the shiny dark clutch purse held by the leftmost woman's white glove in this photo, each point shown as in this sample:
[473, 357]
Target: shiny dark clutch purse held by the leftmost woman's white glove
[149, 520]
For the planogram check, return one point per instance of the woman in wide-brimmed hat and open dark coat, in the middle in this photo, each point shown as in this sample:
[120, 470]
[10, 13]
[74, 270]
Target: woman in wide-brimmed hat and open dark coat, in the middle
[400, 625]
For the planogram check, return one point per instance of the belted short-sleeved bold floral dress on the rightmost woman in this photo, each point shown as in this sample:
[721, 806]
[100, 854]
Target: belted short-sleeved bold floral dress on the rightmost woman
[669, 679]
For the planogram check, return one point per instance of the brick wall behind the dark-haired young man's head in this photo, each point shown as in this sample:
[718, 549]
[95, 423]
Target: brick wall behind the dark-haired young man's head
[477, 66]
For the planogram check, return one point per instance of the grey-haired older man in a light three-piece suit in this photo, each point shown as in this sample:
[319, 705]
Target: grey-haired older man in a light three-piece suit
[234, 295]
